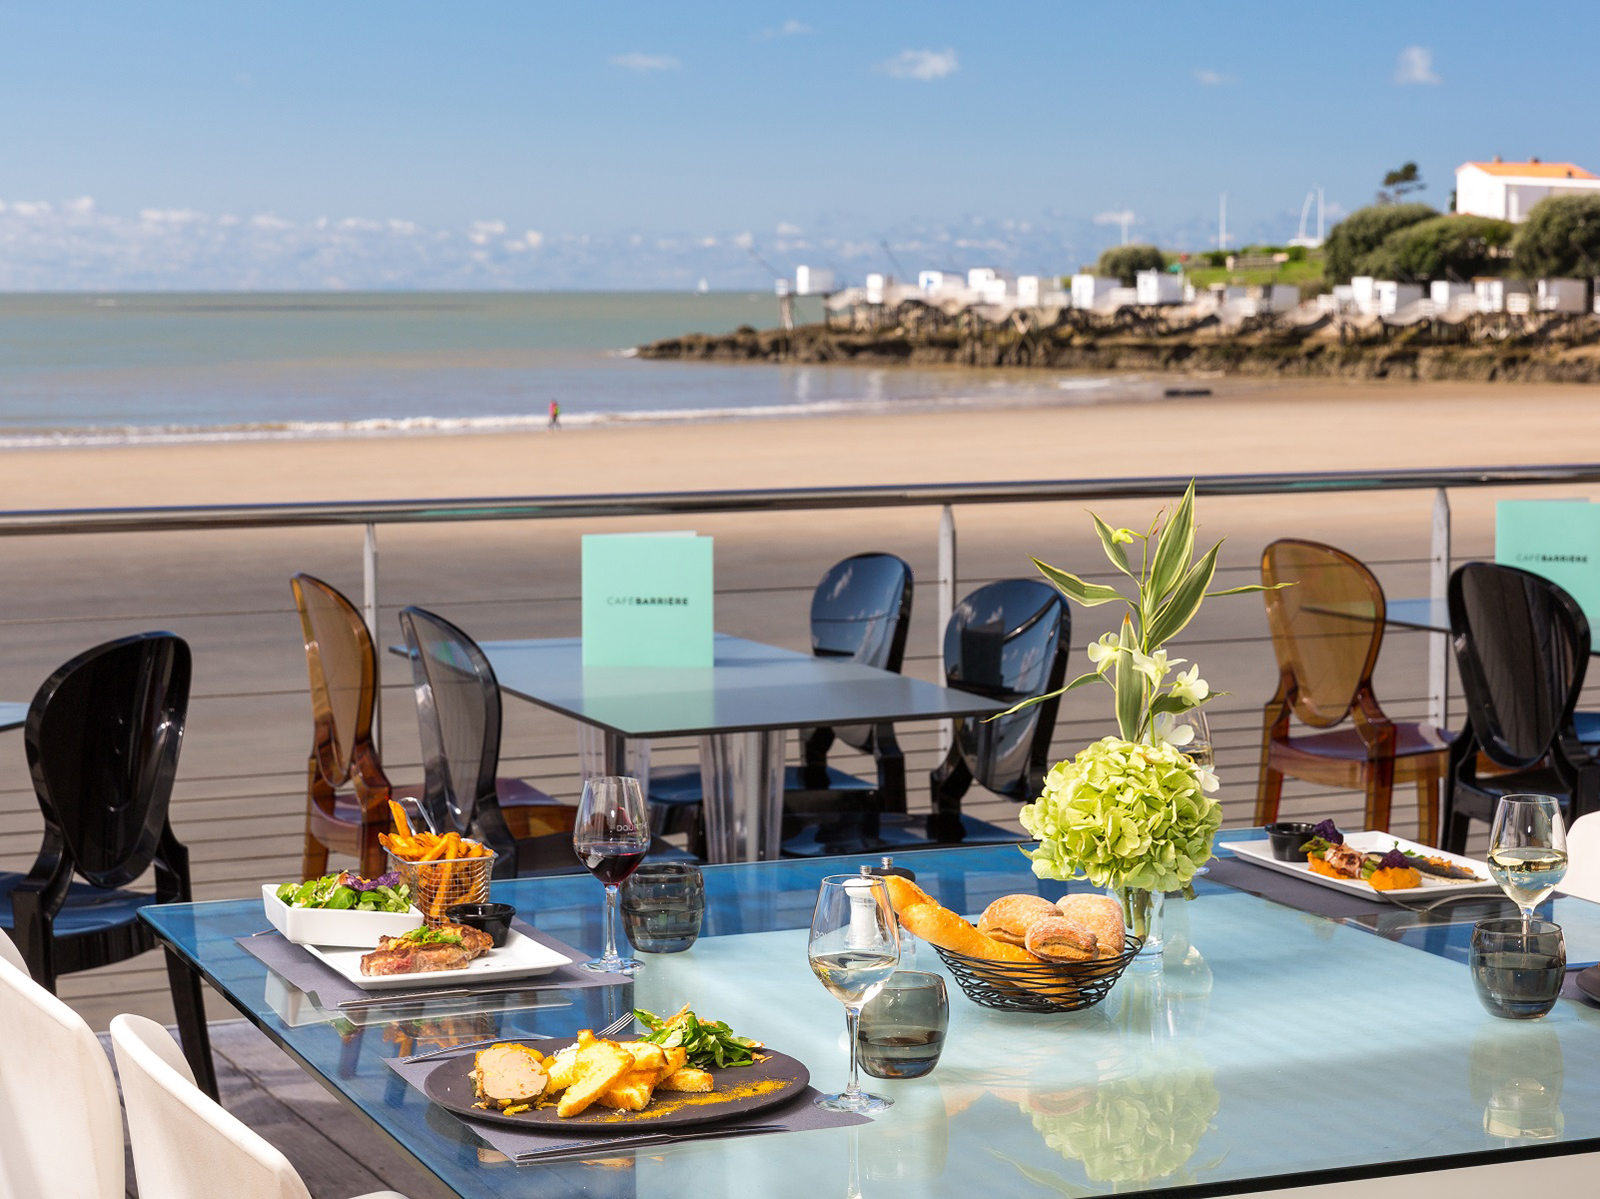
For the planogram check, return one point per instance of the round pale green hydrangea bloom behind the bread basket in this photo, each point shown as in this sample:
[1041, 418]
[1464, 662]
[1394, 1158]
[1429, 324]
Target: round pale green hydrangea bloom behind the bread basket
[1126, 814]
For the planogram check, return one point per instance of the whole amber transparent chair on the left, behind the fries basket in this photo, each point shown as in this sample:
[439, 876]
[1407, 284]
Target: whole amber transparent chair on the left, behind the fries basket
[343, 673]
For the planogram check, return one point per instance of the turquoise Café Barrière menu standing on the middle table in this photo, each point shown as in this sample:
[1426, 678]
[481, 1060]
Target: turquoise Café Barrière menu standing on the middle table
[647, 599]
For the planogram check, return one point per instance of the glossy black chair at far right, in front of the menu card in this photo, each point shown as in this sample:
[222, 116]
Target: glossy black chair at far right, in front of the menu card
[1522, 648]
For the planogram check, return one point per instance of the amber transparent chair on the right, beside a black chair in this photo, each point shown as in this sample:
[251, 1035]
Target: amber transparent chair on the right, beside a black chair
[1327, 628]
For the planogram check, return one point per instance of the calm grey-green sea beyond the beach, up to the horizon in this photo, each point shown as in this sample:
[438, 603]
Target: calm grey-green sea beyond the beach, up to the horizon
[113, 369]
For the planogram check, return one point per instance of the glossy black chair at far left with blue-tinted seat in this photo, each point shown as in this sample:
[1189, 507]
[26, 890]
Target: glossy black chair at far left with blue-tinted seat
[103, 737]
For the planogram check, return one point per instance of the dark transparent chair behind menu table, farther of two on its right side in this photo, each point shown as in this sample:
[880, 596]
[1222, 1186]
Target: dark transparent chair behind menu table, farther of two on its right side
[860, 611]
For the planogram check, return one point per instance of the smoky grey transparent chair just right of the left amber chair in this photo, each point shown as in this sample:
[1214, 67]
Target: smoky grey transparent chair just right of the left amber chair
[458, 710]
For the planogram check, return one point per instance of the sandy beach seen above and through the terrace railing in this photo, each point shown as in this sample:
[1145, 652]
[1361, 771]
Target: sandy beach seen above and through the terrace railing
[241, 796]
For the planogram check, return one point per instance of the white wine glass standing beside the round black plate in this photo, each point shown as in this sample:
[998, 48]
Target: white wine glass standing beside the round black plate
[855, 948]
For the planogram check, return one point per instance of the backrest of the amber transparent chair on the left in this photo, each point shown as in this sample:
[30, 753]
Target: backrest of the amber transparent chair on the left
[343, 673]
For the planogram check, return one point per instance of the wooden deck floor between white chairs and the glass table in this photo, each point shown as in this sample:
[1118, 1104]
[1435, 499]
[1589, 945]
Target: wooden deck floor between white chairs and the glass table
[332, 1147]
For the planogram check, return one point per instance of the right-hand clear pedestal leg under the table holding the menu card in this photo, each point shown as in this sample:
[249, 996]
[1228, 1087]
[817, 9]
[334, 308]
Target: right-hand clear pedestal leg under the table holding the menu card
[743, 784]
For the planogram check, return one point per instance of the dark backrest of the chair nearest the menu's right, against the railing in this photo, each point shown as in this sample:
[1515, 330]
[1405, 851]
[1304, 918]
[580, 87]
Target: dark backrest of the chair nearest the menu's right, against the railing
[862, 611]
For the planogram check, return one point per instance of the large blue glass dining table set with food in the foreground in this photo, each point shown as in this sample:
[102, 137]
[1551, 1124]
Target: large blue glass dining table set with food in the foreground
[1271, 1048]
